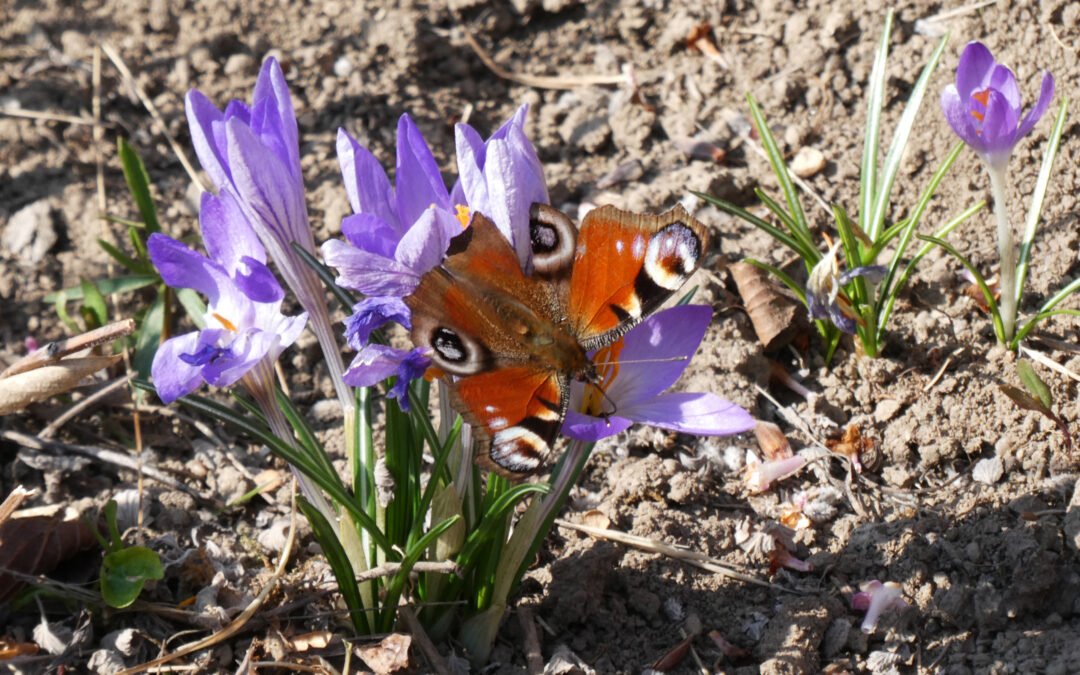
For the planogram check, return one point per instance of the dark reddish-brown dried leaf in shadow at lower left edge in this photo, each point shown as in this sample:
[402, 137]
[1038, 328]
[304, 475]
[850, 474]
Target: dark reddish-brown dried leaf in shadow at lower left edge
[36, 546]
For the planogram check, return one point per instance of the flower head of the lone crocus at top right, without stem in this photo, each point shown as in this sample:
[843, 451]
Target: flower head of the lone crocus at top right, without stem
[984, 106]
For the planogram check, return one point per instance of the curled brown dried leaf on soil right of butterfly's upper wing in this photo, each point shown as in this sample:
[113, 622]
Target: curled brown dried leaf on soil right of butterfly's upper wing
[777, 319]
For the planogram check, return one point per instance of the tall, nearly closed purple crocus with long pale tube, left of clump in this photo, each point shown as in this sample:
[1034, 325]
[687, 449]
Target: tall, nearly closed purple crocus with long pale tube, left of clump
[253, 154]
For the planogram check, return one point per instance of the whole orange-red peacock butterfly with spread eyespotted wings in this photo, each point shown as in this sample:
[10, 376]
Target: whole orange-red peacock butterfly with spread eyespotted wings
[508, 343]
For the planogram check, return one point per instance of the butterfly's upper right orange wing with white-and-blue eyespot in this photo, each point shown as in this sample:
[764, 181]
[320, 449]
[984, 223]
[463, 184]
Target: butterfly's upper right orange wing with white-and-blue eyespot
[627, 266]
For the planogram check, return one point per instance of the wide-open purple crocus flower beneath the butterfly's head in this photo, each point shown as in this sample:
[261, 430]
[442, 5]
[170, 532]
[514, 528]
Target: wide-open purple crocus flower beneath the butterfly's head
[638, 369]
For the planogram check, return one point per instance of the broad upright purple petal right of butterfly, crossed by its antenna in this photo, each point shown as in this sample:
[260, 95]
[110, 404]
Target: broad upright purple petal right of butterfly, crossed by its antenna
[657, 352]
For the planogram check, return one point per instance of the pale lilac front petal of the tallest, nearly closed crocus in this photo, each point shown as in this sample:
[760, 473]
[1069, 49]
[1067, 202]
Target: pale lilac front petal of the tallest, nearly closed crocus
[273, 199]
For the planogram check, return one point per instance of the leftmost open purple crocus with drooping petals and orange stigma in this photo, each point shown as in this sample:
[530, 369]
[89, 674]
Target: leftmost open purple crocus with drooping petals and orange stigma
[245, 329]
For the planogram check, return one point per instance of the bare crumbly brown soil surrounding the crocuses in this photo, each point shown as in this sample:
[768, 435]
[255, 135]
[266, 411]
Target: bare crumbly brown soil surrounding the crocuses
[988, 560]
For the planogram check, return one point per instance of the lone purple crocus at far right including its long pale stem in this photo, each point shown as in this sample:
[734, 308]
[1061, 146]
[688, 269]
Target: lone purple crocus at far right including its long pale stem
[984, 110]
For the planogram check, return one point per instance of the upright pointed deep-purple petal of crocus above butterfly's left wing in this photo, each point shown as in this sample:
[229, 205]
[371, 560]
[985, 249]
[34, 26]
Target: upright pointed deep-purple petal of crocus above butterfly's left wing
[420, 184]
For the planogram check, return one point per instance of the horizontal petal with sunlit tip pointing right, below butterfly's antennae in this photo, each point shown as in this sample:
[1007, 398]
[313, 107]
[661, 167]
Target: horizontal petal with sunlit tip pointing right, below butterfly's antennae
[698, 414]
